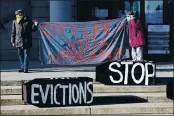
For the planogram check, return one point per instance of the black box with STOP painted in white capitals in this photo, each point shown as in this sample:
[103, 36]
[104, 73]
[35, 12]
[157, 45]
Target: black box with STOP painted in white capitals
[126, 73]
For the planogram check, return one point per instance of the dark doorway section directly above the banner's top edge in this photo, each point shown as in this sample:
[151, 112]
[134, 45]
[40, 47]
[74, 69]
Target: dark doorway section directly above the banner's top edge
[89, 10]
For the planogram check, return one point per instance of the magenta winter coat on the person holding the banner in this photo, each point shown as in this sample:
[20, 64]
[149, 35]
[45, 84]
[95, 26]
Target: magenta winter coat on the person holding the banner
[136, 35]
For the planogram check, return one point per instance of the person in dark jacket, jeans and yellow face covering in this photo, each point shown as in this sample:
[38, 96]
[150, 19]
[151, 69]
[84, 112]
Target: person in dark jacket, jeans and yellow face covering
[21, 37]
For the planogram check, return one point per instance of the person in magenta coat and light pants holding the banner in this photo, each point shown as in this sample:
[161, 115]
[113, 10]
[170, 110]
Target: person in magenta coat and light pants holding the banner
[136, 37]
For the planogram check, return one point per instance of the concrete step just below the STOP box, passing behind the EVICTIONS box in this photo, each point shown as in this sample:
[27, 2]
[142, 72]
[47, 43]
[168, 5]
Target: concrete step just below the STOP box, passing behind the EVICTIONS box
[97, 88]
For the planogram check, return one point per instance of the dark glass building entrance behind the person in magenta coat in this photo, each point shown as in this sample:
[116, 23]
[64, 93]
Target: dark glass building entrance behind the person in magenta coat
[156, 15]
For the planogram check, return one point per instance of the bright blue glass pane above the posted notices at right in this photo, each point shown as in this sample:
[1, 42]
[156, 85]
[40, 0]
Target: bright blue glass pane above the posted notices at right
[154, 11]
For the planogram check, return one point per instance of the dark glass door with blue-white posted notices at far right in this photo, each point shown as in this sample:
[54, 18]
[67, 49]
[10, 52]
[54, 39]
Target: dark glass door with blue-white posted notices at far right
[159, 21]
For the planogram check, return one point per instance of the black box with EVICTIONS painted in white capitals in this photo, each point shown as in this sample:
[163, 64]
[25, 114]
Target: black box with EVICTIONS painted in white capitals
[59, 92]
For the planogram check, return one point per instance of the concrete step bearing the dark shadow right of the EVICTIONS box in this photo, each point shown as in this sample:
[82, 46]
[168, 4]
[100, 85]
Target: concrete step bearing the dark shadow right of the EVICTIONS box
[98, 97]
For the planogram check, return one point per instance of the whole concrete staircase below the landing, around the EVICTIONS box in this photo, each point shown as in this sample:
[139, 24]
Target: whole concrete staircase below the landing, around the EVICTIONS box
[107, 99]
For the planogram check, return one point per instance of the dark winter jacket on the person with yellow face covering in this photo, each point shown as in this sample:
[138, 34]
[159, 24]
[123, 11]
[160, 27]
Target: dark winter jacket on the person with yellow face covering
[21, 34]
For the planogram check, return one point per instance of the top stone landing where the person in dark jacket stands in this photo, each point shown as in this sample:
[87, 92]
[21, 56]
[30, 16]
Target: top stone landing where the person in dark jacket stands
[36, 70]
